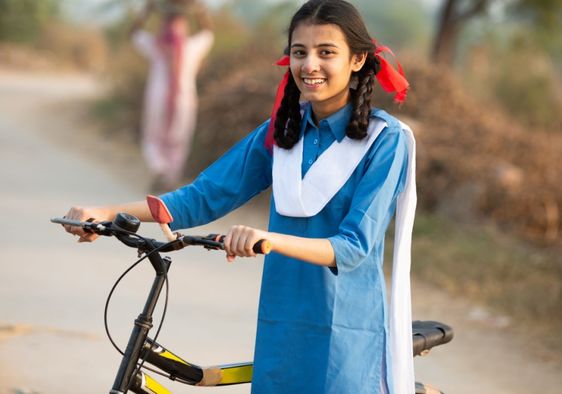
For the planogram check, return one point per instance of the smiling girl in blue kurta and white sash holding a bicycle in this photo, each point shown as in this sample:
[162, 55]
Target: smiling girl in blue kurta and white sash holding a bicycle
[338, 170]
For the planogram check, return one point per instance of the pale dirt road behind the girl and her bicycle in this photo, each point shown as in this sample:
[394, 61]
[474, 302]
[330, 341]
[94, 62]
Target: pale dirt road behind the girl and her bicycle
[53, 290]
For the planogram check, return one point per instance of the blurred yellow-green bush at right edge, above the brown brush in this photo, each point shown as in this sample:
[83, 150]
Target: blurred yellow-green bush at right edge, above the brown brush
[507, 64]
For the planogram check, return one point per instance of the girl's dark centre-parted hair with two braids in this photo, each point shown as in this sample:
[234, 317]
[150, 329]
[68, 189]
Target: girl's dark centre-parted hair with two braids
[347, 18]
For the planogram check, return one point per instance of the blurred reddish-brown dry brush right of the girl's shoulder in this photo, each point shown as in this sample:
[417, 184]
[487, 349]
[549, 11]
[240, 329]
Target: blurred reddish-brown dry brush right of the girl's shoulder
[475, 156]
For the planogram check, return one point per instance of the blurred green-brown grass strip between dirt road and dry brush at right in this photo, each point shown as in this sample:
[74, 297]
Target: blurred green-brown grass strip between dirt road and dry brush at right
[488, 267]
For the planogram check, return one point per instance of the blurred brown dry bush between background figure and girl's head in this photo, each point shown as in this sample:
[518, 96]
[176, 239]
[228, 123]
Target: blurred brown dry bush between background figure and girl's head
[236, 94]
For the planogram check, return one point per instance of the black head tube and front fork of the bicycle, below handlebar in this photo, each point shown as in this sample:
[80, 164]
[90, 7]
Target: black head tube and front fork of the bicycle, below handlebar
[143, 323]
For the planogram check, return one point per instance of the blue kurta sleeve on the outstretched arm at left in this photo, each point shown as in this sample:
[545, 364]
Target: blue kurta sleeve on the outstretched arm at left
[240, 174]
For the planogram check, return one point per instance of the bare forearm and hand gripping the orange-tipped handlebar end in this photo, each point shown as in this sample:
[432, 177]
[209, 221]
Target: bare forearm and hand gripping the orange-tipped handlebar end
[241, 239]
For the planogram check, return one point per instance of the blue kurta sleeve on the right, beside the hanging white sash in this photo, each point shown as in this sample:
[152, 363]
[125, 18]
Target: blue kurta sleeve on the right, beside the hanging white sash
[374, 200]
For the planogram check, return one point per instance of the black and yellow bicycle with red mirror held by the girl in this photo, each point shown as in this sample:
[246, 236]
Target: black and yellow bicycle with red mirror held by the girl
[141, 349]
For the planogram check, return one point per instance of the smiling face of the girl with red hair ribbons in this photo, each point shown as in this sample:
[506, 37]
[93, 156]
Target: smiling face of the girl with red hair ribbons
[321, 65]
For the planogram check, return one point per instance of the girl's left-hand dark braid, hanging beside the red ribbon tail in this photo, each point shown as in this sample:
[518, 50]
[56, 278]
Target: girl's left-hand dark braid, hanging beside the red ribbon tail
[288, 122]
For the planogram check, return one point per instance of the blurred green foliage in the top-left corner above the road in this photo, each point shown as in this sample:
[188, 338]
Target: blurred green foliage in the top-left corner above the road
[21, 21]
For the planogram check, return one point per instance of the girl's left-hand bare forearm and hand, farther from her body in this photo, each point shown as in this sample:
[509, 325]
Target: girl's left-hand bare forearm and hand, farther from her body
[99, 214]
